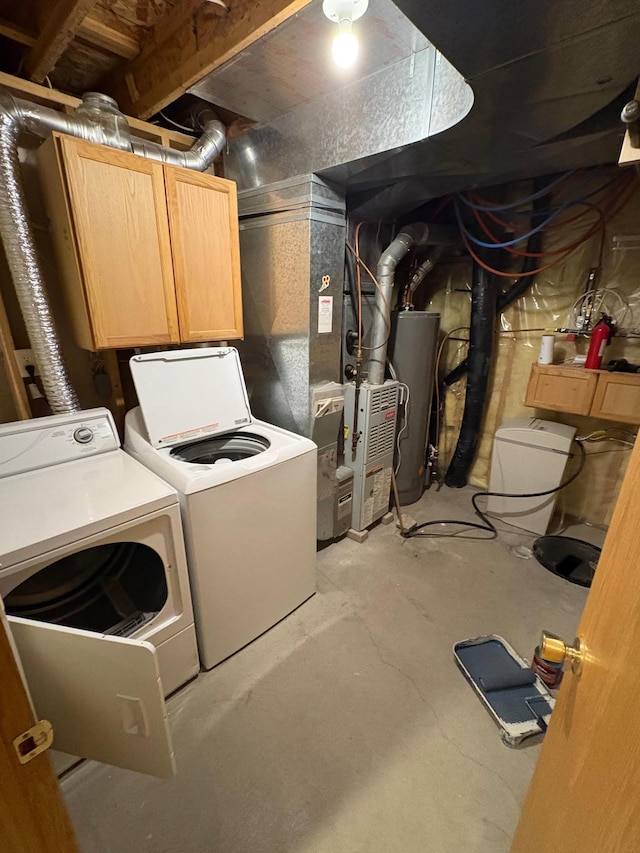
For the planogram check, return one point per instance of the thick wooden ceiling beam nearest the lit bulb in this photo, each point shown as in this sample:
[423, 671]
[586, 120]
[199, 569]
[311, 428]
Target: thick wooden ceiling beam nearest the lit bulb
[182, 51]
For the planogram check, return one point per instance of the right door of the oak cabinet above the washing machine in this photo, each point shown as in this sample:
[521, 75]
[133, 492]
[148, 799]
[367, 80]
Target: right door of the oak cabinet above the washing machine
[203, 217]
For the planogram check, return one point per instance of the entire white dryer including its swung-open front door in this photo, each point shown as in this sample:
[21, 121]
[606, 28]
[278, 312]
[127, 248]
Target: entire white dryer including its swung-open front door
[93, 573]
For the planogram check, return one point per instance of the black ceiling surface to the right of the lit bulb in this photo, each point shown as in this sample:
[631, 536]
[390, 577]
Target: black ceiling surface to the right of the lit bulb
[549, 79]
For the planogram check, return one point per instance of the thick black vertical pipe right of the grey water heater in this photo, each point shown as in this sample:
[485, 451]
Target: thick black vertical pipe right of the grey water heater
[484, 298]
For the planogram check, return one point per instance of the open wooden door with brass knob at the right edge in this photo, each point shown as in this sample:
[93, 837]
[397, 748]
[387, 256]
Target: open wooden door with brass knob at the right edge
[585, 792]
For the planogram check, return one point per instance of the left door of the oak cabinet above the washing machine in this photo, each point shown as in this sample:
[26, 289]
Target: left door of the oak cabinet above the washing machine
[118, 209]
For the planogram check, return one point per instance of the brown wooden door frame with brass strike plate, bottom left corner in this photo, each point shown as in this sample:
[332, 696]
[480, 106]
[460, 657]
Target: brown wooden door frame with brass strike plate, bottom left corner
[32, 812]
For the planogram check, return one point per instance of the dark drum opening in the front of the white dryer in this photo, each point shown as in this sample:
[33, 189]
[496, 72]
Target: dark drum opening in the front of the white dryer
[111, 588]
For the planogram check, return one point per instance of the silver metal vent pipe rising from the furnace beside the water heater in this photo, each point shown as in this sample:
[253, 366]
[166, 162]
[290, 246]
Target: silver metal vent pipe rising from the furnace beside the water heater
[417, 234]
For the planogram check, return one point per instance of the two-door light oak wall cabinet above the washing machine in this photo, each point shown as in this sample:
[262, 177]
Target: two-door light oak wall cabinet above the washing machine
[148, 253]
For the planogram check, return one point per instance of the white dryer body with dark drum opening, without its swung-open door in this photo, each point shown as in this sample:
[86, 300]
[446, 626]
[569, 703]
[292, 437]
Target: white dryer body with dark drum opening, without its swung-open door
[93, 540]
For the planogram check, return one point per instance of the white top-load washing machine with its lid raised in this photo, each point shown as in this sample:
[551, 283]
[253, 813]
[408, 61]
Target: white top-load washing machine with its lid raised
[247, 491]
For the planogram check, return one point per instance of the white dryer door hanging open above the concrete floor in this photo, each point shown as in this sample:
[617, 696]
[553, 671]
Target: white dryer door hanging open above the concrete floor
[102, 695]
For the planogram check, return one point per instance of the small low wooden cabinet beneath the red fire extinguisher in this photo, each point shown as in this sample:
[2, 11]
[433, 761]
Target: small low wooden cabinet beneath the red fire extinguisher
[596, 393]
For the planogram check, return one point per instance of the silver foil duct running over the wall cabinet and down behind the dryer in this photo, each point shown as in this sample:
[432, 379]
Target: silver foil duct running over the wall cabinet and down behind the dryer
[98, 120]
